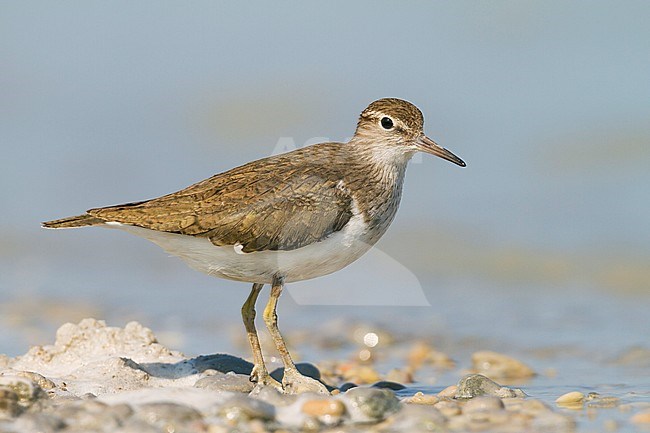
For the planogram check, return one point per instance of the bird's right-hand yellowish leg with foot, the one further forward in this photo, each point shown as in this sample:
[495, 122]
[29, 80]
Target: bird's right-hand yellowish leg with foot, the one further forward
[293, 382]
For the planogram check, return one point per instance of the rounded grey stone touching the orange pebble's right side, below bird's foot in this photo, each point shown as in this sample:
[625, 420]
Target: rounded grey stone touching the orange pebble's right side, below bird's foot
[370, 404]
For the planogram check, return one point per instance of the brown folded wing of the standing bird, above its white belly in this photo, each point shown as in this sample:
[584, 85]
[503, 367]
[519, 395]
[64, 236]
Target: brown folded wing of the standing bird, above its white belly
[272, 204]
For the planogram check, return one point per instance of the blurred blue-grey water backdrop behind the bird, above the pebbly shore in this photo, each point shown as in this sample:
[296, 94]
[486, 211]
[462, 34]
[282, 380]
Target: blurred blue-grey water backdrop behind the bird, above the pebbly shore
[543, 239]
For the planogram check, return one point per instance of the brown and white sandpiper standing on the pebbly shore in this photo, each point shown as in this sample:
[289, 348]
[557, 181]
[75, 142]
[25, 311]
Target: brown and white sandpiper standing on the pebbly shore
[284, 218]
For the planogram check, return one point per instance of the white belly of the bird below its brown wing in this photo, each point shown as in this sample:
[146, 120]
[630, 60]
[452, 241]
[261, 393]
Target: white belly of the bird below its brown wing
[321, 258]
